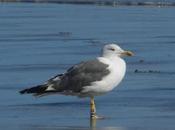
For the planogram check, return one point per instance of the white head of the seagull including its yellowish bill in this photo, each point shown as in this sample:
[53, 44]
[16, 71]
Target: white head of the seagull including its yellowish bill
[111, 50]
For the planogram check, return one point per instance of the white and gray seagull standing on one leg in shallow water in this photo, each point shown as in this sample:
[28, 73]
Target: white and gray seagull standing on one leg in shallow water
[88, 78]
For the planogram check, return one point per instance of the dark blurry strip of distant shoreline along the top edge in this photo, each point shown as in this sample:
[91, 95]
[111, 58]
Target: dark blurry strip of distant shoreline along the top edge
[97, 2]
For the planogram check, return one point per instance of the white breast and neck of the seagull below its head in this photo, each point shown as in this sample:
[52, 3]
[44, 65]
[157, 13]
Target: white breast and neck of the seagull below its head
[117, 68]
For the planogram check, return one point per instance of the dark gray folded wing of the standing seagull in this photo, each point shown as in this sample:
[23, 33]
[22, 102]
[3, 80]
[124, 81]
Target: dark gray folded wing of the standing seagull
[80, 75]
